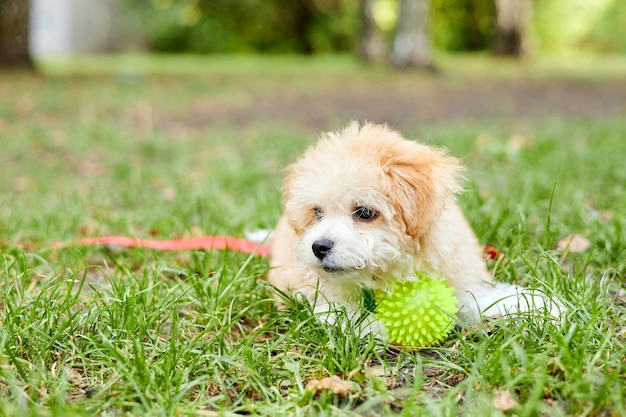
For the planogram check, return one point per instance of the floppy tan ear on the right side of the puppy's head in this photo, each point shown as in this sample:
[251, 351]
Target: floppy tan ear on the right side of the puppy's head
[422, 182]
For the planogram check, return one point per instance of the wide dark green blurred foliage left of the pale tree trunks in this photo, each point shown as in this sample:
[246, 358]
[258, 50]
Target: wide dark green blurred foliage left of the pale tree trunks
[226, 26]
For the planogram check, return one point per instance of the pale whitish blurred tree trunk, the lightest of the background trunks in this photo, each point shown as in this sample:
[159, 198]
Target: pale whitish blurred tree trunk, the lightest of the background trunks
[411, 44]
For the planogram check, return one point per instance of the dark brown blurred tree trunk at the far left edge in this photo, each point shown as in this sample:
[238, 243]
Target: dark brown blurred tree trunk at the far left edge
[14, 26]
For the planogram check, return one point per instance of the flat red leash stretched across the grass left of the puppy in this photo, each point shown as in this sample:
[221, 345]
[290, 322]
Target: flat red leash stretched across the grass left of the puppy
[192, 243]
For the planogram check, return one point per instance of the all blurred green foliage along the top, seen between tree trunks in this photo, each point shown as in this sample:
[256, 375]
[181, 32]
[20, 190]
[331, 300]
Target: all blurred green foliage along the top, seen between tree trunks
[320, 26]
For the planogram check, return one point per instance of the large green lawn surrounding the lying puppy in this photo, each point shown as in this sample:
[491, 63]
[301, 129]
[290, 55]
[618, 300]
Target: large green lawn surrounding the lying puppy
[109, 331]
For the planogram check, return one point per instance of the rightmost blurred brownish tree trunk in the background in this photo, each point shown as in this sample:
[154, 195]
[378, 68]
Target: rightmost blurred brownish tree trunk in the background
[512, 20]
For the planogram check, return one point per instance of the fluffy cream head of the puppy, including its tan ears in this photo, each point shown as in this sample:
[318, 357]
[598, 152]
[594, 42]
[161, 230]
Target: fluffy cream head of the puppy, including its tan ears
[362, 199]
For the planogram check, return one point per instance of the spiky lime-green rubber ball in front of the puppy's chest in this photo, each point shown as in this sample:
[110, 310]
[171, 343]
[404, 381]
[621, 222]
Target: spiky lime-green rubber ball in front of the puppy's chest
[417, 313]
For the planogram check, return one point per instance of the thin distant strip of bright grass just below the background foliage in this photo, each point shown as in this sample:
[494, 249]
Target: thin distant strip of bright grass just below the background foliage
[577, 65]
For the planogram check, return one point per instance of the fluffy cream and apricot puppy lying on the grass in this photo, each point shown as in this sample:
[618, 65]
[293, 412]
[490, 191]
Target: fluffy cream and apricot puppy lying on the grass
[365, 208]
